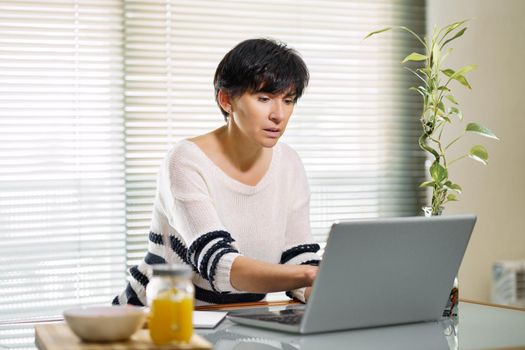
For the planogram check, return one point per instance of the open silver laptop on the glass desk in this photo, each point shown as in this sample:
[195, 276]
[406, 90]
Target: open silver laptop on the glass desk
[378, 272]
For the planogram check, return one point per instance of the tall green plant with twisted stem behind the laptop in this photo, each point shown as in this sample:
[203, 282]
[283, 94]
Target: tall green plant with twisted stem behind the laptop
[440, 108]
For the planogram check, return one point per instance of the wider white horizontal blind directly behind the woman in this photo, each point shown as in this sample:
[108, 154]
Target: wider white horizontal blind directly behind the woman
[356, 127]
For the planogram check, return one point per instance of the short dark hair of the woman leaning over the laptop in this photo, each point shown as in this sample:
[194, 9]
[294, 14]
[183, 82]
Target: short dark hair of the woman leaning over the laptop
[261, 65]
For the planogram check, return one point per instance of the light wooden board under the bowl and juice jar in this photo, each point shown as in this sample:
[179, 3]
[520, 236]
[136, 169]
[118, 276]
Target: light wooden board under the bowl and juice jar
[58, 336]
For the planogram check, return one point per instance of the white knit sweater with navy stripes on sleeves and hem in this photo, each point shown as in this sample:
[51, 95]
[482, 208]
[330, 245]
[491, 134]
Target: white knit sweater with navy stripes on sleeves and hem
[204, 218]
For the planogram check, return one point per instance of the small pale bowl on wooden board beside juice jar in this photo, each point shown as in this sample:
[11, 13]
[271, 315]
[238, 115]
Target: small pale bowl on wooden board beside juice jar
[105, 323]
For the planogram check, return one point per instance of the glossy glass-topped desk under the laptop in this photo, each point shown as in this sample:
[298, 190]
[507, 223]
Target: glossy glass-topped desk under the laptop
[481, 326]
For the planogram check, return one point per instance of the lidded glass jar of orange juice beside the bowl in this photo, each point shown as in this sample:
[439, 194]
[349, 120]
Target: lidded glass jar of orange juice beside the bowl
[170, 294]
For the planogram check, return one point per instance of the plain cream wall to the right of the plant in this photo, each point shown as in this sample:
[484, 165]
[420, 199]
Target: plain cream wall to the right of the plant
[495, 40]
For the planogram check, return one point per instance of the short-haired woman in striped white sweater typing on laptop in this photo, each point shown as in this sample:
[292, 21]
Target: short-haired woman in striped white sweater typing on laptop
[234, 203]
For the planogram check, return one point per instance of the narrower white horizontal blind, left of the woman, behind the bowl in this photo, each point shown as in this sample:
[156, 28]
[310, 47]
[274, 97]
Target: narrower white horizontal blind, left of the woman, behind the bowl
[62, 199]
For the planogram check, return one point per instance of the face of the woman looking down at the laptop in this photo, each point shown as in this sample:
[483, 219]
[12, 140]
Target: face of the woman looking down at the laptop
[262, 117]
